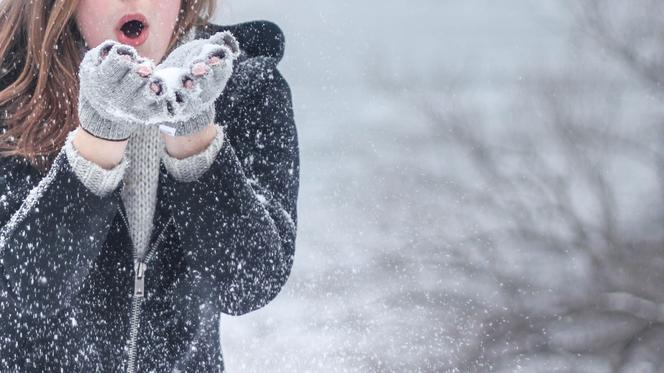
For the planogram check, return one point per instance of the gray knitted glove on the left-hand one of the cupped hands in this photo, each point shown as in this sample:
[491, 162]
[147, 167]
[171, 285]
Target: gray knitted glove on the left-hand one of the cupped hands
[114, 96]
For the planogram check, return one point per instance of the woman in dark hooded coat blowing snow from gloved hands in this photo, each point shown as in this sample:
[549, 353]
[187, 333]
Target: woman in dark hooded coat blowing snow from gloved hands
[123, 239]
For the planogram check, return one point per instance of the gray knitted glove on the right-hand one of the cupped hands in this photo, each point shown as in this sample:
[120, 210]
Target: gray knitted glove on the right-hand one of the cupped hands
[191, 78]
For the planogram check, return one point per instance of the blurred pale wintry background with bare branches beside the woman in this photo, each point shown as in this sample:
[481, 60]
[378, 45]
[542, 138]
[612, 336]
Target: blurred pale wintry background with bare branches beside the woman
[481, 188]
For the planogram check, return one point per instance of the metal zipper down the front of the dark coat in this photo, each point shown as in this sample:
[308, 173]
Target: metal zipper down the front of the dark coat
[140, 266]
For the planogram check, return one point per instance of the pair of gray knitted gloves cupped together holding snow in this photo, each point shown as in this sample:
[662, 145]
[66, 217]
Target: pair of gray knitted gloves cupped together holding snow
[121, 91]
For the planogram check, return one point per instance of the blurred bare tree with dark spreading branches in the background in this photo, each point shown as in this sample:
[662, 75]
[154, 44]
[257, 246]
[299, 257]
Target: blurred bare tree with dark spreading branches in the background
[567, 204]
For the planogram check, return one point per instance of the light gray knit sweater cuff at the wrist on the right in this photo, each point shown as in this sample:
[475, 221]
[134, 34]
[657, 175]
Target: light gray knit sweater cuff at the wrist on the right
[191, 168]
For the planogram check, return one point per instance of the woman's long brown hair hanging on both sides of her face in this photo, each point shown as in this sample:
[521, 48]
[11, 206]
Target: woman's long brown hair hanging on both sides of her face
[39, 59]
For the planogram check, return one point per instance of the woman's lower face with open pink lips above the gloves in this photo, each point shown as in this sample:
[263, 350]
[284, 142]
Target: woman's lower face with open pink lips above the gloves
[146, 25]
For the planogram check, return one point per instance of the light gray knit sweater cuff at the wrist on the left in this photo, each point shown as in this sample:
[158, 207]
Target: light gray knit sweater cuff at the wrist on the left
[96, 178]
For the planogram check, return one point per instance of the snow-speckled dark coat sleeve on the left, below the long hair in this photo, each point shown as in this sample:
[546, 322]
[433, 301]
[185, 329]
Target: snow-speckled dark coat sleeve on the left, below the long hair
[52, 230]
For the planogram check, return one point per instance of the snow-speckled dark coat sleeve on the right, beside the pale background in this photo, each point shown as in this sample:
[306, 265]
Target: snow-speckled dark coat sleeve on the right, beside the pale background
[237, 221]
